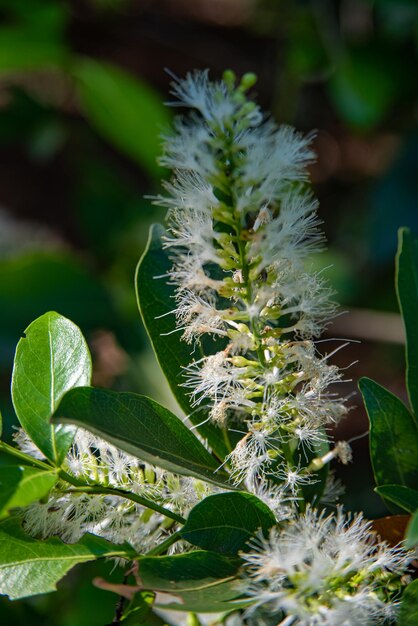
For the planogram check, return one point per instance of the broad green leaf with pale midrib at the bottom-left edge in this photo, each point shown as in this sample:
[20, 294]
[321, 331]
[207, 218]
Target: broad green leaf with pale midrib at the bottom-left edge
[29, 566]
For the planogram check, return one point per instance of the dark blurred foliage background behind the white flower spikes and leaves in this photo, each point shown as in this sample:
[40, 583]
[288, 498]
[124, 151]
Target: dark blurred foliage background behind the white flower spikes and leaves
[81, 90]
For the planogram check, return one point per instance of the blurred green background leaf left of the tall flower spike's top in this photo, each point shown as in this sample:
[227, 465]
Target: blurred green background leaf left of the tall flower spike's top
[125, 110]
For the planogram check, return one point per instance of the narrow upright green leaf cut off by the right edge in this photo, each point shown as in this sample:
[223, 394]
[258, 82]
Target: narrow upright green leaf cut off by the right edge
[407, 291]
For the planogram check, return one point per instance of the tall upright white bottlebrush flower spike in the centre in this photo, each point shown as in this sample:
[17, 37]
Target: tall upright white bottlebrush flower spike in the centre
[241, 223]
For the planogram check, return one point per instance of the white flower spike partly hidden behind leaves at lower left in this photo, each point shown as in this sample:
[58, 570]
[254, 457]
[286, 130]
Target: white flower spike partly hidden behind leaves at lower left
[69, 513]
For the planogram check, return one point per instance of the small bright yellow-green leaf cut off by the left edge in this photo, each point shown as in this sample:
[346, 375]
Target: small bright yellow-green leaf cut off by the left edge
[20, 486]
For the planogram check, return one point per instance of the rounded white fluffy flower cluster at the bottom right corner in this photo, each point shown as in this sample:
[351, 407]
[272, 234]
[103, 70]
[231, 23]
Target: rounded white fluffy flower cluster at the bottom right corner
[323, 570]
